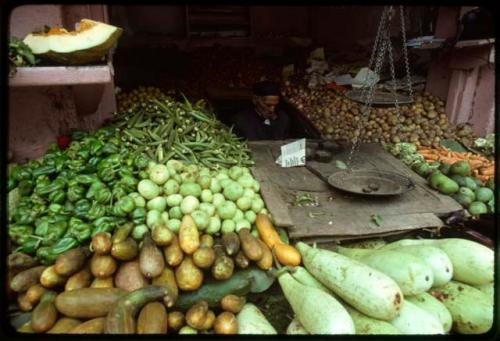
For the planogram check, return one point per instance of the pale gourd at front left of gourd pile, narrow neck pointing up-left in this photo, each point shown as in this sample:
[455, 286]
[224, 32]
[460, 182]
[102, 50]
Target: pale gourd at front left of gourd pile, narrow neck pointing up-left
[316, 310]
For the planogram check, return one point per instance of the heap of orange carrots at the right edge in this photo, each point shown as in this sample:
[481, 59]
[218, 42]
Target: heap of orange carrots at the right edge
[482, 168]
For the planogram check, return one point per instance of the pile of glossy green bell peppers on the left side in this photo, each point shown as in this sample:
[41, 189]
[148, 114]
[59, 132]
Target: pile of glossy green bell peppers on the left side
[69, 195]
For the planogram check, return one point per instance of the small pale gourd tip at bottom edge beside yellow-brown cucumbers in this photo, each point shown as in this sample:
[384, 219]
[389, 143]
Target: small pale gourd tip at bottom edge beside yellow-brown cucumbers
[252, 321]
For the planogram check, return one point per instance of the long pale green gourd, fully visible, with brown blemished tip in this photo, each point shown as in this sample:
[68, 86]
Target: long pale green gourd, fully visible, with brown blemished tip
[368, 290]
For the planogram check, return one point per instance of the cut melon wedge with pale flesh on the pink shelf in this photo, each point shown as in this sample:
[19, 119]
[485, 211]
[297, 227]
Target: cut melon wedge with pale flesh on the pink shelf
[89, 42]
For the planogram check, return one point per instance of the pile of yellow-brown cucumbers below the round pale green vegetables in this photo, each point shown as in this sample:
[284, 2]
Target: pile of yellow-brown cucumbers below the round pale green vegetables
[117, 285]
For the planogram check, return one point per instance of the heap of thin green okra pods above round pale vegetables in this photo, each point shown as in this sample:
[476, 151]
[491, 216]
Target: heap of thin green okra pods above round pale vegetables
[164, 128]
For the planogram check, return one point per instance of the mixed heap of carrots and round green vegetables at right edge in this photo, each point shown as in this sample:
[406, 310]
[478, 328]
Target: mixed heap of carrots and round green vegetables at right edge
[467, 177]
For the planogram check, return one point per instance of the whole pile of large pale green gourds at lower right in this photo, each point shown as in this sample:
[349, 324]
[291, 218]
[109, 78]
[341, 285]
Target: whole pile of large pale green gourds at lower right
[412, 286]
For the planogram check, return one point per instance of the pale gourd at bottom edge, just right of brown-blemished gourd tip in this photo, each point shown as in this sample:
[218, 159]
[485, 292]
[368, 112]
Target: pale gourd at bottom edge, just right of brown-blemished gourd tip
[414, 320]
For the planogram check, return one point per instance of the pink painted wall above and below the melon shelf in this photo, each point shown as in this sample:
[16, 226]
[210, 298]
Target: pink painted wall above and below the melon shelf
[38, 114]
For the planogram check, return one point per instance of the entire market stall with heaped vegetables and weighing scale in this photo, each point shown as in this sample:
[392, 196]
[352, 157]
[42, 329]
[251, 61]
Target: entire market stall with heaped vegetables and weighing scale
[151, 216]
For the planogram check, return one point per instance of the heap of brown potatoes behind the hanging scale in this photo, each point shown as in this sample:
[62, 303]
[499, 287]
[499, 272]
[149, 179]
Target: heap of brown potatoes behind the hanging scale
[337, 118]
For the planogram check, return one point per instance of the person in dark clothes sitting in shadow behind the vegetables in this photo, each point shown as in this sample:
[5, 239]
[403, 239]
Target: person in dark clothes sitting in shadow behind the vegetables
[264, 121]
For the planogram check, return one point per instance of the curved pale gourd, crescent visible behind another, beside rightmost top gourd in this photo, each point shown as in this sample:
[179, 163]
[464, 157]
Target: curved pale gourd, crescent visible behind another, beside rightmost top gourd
[435, 258]
